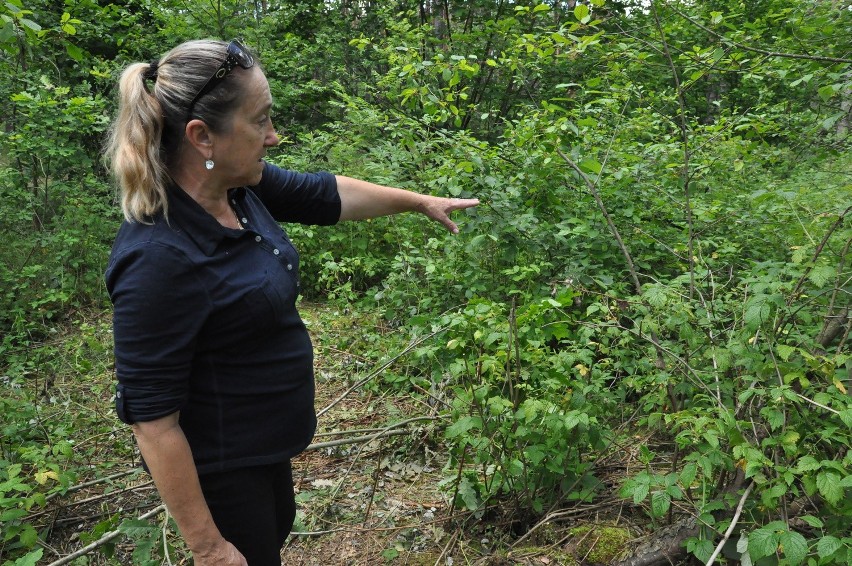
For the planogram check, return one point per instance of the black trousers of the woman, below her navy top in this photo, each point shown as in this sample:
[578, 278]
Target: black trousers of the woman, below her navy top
[254, 509]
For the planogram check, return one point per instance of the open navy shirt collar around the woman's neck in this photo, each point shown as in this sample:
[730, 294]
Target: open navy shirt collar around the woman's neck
[187, 215]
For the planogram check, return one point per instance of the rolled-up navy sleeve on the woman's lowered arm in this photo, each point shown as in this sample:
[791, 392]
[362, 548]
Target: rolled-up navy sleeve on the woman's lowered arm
[159, 307]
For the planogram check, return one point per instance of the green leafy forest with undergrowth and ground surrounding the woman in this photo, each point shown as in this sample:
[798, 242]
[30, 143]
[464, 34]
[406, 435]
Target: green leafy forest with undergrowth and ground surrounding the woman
[636, 351]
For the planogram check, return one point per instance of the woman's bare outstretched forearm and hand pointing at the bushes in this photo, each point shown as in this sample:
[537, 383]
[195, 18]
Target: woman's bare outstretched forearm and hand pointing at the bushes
[361, 199]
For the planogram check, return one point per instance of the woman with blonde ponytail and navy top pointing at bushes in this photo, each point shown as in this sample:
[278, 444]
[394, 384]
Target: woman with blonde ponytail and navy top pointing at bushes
[214, 364]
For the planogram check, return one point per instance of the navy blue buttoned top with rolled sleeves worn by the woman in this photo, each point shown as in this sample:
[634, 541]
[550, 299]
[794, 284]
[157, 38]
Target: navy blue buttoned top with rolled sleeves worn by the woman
[205, 321]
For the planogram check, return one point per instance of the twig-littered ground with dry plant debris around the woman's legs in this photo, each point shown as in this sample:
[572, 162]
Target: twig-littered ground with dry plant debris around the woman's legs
[368, 491]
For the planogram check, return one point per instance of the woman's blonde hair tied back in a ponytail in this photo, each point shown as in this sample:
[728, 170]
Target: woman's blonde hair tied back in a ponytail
[149, 126]
